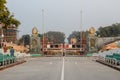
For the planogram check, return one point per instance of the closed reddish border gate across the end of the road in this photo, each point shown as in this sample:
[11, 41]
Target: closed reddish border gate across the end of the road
[64, 49]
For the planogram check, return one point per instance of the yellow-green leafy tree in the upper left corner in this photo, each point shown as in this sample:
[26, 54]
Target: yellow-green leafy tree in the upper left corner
[6, 18]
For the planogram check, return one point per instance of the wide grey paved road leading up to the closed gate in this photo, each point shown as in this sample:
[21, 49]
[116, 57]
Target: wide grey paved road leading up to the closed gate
[60, 68]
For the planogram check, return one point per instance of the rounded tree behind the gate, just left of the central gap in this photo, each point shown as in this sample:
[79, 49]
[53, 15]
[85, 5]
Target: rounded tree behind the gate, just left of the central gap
[55, 37]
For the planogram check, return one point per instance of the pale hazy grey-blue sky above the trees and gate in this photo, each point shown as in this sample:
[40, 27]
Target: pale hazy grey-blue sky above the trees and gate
[64, 15]
